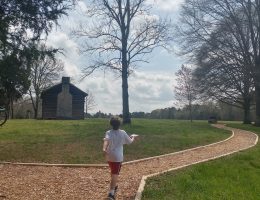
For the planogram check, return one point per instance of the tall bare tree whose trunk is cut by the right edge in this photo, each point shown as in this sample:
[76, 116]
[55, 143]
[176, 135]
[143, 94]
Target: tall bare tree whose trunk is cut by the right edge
[238, 19]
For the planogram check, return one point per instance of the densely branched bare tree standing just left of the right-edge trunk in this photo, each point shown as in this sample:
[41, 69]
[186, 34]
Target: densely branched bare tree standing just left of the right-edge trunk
[221, 73]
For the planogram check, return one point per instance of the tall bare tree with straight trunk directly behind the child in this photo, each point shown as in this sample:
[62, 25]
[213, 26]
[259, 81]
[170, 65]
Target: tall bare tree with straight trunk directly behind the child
[123, 32]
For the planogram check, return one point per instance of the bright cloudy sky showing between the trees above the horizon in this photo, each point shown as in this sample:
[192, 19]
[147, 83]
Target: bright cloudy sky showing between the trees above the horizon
[150, 86]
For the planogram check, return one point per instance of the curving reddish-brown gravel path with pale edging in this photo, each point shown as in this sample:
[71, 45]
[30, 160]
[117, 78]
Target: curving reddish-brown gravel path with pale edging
[36, 183]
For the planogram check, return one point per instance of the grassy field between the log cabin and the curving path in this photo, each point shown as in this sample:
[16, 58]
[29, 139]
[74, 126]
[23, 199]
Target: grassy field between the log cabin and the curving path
[81, 141]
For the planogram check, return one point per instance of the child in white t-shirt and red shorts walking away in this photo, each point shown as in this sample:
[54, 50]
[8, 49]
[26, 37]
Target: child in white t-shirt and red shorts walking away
[113, 150]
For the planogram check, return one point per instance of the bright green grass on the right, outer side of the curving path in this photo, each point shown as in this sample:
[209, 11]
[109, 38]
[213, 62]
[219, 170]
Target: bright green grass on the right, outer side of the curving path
[236, 177]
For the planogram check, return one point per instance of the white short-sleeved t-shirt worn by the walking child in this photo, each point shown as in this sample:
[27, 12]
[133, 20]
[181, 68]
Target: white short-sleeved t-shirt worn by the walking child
[116, 139]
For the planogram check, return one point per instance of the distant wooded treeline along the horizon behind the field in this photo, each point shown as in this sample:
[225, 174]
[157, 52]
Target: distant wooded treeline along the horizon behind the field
[222, 111]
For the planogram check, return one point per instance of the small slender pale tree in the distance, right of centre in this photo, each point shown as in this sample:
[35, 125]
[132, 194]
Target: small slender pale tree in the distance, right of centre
[184, 90]
